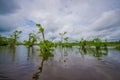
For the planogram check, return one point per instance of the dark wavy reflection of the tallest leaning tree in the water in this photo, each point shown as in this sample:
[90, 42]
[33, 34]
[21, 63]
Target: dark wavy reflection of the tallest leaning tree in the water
[45, 55]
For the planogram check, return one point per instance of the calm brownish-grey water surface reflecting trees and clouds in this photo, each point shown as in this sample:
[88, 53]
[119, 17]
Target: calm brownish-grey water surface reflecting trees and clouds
[23, 63]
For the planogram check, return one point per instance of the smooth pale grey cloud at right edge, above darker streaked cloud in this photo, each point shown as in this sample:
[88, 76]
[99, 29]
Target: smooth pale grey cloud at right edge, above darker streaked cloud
[108, 20]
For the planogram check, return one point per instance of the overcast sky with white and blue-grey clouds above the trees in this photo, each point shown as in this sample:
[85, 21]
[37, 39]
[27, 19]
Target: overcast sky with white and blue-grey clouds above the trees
[79, 18]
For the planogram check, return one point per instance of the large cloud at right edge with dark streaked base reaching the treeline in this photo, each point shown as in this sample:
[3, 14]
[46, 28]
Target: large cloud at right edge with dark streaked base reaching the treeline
[107, 25]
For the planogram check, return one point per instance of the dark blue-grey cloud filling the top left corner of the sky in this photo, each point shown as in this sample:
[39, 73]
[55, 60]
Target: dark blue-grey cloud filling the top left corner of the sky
[8, 6]
